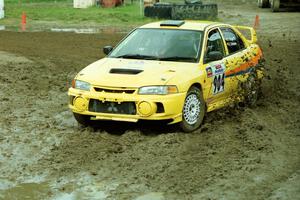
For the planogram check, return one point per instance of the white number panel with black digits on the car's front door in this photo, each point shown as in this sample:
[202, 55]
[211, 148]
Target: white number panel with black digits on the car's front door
[217, 73]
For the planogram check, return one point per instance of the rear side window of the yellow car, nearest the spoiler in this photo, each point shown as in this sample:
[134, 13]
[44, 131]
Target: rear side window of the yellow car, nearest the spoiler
[233, 41]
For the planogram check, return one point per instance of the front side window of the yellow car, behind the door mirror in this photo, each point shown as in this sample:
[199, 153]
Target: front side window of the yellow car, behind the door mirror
[214, 47]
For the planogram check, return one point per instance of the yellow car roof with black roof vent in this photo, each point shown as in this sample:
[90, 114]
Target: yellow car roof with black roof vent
[187, 25]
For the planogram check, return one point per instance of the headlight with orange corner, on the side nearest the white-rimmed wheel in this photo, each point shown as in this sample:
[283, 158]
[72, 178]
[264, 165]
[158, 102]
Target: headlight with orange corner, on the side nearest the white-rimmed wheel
[162, 90]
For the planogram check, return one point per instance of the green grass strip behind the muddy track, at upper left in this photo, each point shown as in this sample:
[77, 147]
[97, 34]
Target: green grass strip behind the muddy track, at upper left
[62, 12]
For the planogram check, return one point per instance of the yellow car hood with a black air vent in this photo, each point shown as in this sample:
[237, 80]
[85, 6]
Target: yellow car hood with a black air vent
[113, 72]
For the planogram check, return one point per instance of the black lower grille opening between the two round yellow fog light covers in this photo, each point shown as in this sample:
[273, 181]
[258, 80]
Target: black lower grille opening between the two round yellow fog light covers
[127, 108]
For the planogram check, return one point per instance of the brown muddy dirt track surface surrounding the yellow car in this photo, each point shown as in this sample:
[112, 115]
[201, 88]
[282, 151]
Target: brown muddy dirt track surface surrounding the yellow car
[239, 153]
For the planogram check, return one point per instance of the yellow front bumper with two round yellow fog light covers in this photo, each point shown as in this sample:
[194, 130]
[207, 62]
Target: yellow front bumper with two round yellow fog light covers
[146, 107]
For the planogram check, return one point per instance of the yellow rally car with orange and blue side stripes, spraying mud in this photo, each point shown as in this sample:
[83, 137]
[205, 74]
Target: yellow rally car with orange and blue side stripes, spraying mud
[169, 70]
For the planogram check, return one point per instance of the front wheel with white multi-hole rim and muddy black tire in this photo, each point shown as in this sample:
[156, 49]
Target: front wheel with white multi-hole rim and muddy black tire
[193, 114]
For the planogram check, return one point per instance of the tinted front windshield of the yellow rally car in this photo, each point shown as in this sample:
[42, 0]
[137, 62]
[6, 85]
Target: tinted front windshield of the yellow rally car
[160, 44]
